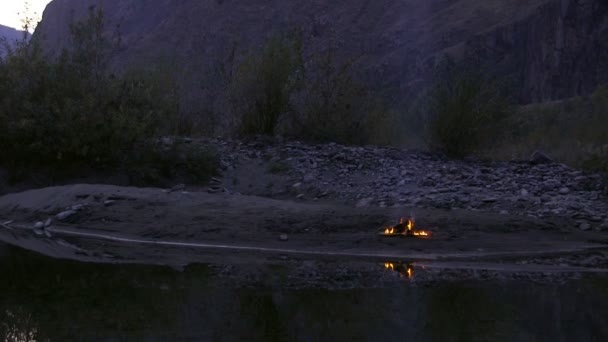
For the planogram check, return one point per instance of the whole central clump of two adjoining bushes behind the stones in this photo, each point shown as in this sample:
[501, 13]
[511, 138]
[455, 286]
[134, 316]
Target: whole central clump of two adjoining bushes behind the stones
[274, 92]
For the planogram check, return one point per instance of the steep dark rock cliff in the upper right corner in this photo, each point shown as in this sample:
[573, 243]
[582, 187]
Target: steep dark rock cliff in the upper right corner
[558, 51]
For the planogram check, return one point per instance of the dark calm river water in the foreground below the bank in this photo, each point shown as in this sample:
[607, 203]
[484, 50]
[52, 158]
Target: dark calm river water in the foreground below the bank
[45, 299]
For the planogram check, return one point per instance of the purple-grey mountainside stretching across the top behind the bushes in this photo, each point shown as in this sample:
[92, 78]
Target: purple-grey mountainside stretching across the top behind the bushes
[550, 48]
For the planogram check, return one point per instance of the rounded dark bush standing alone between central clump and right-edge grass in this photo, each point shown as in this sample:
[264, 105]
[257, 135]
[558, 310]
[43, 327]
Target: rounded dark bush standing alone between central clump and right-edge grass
[466, 107]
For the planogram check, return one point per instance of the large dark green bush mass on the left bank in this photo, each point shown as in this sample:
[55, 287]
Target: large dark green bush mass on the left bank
[68, 114]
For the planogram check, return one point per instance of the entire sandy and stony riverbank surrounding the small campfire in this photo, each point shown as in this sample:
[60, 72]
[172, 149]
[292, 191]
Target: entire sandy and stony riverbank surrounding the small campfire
[298, 205]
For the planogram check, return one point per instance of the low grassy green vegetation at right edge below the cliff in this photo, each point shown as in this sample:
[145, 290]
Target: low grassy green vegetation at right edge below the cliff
[572, 131]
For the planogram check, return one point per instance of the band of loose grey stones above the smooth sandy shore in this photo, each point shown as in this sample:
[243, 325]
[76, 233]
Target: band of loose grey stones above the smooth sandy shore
[385, 177]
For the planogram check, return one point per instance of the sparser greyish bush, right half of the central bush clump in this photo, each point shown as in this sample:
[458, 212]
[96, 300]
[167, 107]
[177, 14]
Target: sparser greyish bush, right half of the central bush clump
[333, 106]
